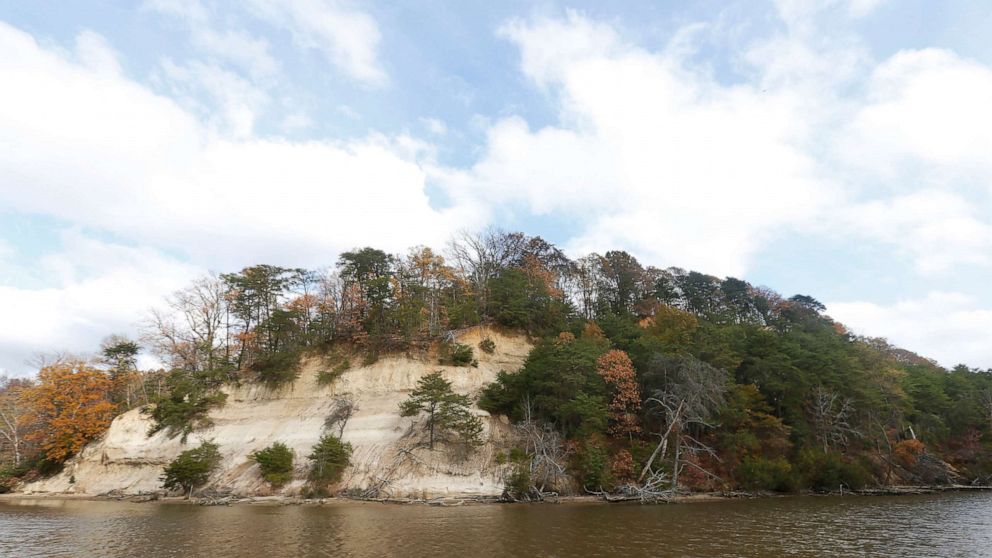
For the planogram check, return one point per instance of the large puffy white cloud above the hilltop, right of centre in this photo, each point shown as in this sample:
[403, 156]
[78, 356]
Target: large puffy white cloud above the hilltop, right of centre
[648, 153]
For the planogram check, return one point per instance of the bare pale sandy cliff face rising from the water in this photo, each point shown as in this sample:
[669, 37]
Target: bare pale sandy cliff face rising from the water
[385, 444]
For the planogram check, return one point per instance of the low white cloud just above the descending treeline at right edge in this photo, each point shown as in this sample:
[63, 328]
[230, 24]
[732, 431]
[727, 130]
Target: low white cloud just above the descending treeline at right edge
[952, 328]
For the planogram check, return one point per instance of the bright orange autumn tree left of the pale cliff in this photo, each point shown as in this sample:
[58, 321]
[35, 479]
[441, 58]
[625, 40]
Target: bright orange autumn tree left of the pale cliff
[70, 405]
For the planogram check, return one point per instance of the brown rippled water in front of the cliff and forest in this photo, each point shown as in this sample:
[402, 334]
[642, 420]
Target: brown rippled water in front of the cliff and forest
[957, 524]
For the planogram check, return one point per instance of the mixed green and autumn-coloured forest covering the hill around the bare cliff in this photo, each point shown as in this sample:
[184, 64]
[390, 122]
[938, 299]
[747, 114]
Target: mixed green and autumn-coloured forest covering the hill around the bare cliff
[642, 382]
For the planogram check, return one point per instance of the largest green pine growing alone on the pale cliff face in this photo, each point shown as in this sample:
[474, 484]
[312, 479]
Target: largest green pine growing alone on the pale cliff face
[447, 412]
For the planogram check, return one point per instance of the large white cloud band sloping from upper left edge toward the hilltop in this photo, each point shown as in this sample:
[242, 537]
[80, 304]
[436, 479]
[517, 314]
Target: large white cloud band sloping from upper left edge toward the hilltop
[107, 153]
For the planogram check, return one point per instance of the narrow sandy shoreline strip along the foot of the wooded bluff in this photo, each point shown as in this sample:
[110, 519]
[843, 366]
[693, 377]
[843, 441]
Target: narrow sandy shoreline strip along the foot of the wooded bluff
[457, 501]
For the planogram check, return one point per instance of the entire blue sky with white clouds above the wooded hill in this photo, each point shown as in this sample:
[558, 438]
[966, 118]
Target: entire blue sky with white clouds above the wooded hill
[836, 148]
